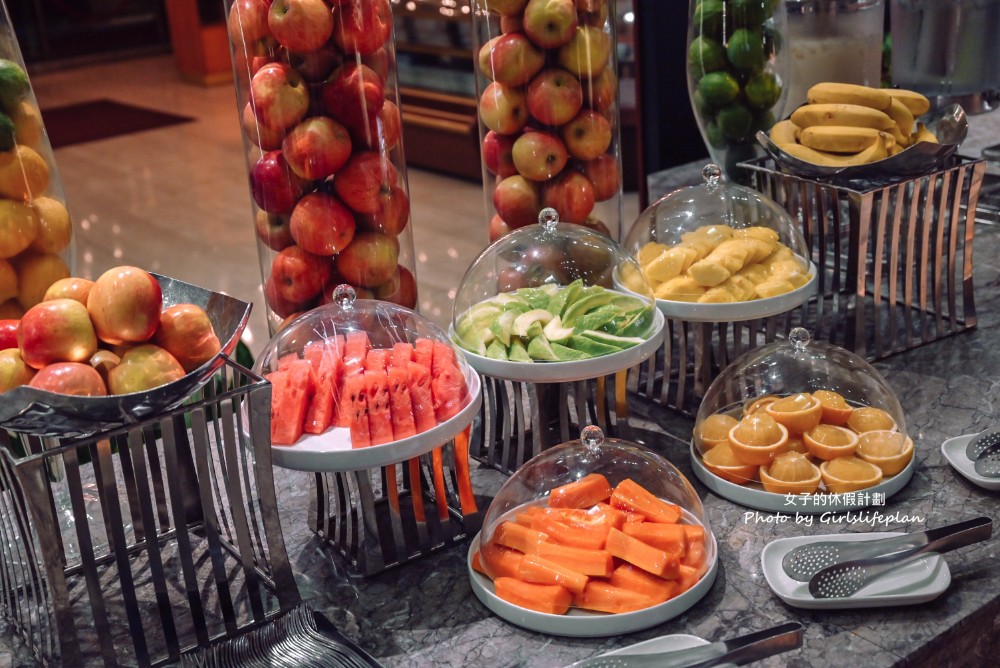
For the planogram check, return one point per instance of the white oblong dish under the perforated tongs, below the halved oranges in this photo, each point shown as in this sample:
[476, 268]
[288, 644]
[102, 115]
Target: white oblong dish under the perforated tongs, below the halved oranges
[916, 582]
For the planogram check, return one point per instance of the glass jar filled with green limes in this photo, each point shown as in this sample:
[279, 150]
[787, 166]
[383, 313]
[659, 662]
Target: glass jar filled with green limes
[736, 75]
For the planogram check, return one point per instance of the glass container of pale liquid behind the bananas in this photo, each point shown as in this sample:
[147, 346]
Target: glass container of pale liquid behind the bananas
[833, 40]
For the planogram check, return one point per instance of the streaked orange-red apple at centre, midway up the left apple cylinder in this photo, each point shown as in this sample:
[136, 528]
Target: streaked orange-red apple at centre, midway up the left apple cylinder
[317, 147]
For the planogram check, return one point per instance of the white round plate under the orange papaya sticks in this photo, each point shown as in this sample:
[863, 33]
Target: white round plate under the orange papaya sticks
[585, 623]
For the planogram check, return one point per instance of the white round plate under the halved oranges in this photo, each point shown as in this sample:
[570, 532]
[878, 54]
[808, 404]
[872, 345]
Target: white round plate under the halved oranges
[753, 494]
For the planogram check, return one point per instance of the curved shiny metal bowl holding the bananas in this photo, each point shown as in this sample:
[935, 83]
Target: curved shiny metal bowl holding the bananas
[949, 125]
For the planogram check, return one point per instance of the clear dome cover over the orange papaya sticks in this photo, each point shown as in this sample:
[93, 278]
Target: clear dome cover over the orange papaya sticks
[615, 459]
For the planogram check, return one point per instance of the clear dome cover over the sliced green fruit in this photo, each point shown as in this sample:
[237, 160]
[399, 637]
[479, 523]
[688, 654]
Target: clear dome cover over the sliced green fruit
[536, 264]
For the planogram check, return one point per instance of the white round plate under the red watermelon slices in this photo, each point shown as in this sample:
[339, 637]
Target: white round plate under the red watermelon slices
[332, 451]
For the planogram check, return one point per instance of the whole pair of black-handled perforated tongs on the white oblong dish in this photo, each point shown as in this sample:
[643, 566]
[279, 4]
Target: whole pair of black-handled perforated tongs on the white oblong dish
[847, 577]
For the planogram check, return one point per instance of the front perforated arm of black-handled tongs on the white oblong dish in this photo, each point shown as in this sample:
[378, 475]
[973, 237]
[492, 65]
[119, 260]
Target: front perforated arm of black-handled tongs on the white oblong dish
[847, 578]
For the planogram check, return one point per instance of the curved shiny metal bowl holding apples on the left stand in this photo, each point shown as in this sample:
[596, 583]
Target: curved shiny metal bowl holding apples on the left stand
[32, 411]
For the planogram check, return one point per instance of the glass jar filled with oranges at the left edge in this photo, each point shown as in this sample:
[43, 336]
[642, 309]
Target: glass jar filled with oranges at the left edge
[36, 232]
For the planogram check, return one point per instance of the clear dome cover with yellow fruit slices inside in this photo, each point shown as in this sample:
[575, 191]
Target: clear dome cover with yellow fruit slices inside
[709, 237]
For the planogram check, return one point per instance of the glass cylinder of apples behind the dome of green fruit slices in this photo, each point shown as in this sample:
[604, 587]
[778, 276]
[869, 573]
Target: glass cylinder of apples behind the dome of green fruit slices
[547, 82]
